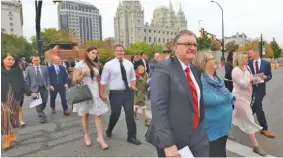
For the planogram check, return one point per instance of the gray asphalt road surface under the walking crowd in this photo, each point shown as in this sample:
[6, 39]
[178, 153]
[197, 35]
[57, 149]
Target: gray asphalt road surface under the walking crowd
[62, 136]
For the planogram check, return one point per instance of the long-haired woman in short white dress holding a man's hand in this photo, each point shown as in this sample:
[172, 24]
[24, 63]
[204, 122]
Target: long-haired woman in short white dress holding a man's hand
[87, 72]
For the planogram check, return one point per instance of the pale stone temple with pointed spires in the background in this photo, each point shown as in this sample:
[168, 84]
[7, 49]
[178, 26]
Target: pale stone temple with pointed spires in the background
[129, 26]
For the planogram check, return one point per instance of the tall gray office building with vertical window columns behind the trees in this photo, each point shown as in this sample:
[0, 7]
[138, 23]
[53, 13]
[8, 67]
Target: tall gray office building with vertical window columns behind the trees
[80, 18]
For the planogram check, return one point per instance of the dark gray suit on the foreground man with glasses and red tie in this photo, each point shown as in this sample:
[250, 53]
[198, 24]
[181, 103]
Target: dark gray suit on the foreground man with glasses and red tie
[172, 110]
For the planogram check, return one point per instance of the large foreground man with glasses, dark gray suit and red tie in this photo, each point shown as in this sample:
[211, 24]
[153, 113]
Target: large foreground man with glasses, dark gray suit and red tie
[176, 102]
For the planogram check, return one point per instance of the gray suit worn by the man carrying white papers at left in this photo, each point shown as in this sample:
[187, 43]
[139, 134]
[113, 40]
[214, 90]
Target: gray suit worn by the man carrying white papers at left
[32, 82]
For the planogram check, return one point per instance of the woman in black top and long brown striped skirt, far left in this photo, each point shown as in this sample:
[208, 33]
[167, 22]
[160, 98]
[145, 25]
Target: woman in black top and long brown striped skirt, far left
[13, 88]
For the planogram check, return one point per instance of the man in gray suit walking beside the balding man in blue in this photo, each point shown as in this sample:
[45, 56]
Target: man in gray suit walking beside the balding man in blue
[37, 79]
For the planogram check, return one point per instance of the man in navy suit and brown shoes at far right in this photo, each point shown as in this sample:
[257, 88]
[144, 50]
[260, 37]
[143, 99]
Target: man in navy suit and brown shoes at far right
[257, 66]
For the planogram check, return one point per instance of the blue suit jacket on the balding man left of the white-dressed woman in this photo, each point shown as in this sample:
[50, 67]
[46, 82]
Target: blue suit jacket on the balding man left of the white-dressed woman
[62, 78]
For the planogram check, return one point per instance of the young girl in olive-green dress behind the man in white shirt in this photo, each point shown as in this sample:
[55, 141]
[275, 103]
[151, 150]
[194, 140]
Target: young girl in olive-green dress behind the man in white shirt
[140, 93]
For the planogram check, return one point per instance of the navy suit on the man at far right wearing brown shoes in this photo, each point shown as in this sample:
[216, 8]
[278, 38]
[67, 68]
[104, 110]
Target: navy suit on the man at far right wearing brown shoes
[260, 91]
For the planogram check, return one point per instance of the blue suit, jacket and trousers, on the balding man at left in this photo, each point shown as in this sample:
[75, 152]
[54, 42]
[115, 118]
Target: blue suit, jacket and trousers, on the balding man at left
[58, 82]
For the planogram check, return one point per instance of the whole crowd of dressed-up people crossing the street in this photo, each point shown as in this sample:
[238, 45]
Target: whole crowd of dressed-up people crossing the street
[191, 105]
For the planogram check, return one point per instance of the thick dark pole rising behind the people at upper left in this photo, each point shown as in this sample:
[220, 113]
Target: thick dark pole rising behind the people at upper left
[38, 6]
